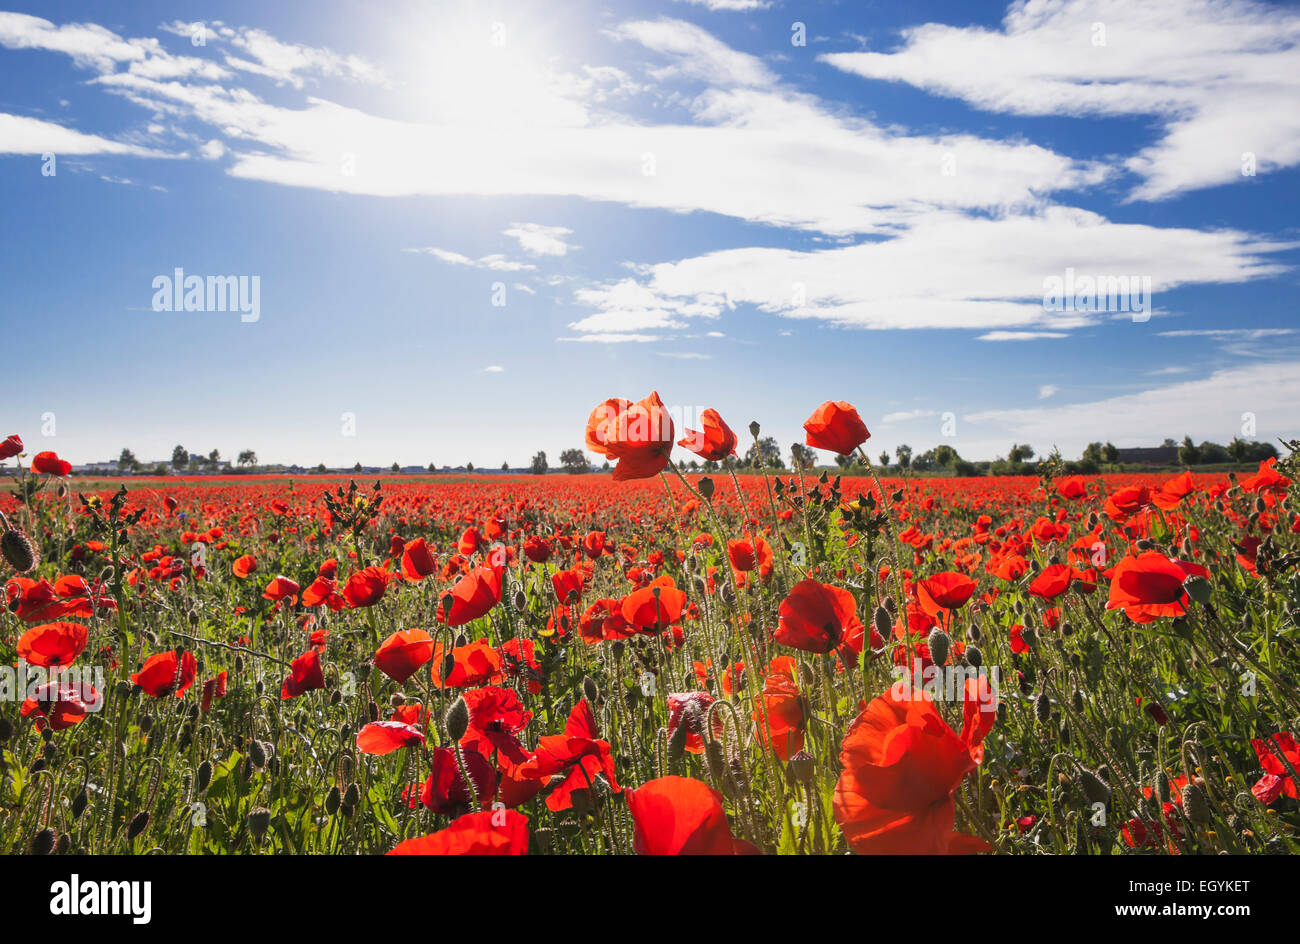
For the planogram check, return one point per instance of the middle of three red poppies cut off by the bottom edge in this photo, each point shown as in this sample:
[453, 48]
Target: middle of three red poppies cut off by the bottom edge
[678, 816]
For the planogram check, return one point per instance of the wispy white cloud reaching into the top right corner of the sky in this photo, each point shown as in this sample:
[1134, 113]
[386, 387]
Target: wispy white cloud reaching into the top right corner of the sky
[1223, 76]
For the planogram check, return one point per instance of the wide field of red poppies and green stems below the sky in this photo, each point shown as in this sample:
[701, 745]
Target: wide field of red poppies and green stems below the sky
[653, 661]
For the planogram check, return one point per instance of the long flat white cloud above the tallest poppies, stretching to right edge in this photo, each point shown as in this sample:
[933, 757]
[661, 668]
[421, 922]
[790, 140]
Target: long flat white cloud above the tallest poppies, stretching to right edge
[946, 271]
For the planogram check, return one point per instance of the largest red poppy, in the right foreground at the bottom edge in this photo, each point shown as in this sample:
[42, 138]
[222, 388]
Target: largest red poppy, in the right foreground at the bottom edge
[902, 767]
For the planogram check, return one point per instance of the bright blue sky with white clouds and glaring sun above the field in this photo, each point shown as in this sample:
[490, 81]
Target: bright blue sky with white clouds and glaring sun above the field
[673, 197]
